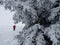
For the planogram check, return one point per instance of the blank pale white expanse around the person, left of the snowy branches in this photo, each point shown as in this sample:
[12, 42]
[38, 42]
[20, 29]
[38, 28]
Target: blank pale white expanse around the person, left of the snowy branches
[7, 34]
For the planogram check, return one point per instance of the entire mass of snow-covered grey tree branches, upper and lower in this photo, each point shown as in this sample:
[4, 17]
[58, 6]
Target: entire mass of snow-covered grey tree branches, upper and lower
[41, 19]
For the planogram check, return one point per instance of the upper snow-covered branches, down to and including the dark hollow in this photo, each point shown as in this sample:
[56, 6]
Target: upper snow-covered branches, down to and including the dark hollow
[31, 12]
